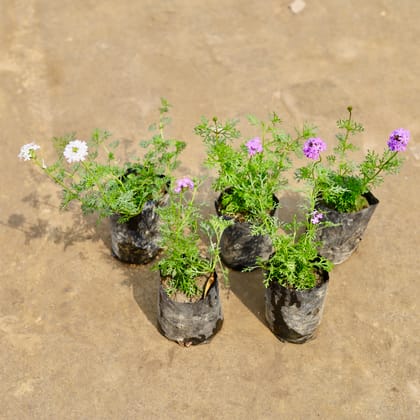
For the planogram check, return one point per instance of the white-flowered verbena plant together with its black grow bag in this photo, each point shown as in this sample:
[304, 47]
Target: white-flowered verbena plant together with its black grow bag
[128, 193]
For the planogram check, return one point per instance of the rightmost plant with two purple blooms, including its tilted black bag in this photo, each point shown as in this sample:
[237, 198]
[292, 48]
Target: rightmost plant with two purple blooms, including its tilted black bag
[344, 188]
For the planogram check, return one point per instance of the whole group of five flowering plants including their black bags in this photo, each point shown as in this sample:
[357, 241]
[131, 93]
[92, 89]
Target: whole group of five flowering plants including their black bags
[156, 216]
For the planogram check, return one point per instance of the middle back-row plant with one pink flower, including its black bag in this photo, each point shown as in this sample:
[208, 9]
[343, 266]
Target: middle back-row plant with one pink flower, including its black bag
[248, 178]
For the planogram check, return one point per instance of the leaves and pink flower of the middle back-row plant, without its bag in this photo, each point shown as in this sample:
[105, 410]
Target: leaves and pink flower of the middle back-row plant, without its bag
[249, 175]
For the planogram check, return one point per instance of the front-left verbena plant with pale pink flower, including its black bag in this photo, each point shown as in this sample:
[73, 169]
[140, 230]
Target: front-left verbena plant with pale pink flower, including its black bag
[189, 308]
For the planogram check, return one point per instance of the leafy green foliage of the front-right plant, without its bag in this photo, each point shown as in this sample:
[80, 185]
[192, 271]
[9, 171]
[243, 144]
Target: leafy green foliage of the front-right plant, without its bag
[295, 262]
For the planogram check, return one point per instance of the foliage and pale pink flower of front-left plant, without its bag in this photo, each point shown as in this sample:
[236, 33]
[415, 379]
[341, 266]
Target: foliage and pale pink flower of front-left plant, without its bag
[185, 257]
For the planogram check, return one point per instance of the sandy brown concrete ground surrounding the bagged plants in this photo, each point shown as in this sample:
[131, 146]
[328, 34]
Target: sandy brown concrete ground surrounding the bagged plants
[78, 329]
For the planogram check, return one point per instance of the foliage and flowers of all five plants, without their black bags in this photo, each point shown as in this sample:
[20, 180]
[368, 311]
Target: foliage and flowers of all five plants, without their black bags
[249, 174]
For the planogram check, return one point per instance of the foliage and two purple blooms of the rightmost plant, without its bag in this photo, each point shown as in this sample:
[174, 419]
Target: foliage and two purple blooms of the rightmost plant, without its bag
[340, 182]
